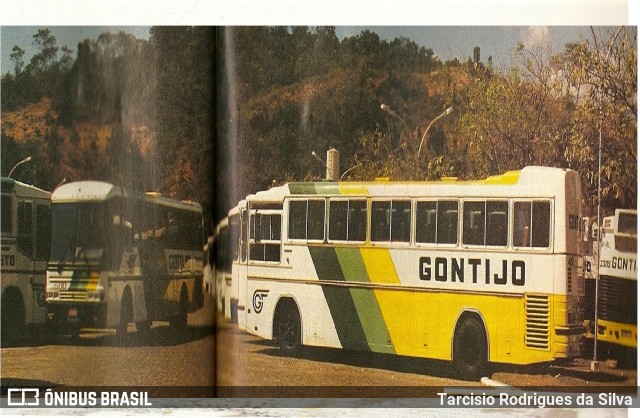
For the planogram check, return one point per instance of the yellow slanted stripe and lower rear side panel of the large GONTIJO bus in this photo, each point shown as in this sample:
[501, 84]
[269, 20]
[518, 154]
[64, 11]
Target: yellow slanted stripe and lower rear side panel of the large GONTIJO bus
[422, 324]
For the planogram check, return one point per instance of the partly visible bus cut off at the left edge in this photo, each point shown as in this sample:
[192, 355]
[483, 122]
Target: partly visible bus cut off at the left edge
[26, 239]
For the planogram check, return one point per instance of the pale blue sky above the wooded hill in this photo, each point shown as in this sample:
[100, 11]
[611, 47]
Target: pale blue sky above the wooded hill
[447, 42]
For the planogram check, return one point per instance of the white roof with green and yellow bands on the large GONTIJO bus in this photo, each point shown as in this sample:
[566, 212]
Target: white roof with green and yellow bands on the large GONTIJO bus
[532, 181]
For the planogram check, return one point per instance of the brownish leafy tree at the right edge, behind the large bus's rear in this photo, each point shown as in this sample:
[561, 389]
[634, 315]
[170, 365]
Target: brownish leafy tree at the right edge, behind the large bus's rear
[604, 69]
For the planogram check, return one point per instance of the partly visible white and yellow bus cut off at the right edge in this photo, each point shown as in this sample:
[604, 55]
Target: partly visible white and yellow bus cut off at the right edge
[618, 283]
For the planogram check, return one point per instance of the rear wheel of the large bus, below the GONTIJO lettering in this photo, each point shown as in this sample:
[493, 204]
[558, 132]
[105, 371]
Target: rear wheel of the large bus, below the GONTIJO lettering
[470, 349]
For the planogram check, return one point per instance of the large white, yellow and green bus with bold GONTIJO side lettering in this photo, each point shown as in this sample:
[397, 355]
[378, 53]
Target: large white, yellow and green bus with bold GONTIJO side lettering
[468, 271]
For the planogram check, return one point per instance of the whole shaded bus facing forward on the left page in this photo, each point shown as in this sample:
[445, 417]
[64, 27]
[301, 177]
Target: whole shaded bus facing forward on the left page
[119, 257]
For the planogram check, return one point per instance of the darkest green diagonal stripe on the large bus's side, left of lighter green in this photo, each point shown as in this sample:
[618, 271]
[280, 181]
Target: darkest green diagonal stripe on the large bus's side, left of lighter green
[339, 299]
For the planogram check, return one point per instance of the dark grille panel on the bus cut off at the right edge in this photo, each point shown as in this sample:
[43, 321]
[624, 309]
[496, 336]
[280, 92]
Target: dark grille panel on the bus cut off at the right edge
[617, 300]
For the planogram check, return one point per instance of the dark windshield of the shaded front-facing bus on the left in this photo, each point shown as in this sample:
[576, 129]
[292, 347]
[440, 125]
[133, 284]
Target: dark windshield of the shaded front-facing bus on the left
[78, 231]
